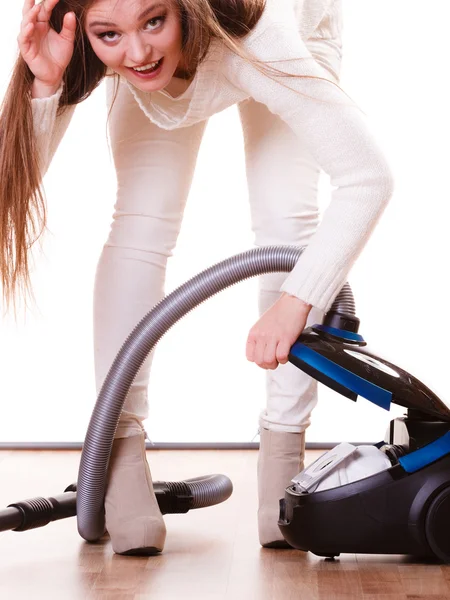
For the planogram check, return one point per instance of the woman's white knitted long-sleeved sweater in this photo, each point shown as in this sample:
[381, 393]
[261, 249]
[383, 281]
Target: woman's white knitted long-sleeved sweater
[312, 105]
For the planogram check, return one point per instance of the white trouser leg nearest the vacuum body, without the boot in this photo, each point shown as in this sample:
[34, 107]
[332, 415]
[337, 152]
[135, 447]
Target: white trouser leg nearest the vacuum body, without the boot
[282, 181]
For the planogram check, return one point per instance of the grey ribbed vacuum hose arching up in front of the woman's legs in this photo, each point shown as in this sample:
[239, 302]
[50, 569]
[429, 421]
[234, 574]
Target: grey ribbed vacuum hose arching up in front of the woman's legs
[105, 416]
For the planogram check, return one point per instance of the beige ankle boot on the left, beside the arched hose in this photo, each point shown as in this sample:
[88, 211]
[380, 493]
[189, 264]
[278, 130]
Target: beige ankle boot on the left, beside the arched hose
[133, 519]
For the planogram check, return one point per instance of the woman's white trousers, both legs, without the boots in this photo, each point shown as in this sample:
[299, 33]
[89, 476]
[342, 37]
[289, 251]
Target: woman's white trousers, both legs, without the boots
[154, 172]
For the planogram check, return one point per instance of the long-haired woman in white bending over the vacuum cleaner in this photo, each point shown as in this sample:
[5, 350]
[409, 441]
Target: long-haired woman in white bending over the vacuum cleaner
[178, 62]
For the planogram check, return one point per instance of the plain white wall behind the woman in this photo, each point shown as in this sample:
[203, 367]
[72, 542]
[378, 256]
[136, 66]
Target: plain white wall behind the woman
[396, 68]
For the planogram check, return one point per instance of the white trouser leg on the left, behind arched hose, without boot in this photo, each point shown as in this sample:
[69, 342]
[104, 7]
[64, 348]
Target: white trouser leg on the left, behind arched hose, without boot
[154, 172]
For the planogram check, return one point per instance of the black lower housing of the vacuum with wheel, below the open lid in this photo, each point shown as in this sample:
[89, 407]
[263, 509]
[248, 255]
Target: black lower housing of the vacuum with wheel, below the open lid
[391, 512]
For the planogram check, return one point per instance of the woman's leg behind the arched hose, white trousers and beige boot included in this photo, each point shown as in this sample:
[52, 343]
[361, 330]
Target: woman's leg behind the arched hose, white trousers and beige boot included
[154, 171]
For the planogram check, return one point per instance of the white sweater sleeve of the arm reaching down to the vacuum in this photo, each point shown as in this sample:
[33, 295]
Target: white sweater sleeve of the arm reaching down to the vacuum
[338, 138]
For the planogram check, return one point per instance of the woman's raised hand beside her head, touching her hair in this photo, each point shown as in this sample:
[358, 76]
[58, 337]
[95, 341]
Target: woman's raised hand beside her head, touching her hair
[46, 52]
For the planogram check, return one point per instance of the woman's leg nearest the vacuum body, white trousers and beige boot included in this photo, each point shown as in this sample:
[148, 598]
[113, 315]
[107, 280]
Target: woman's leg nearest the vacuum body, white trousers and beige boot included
[283, 180]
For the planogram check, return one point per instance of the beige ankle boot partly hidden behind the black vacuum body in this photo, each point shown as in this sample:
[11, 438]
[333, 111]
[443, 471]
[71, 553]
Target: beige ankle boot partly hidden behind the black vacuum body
[280, 458]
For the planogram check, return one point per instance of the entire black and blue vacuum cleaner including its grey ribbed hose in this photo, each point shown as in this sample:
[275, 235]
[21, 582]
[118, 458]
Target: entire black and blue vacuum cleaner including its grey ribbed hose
[401, 508]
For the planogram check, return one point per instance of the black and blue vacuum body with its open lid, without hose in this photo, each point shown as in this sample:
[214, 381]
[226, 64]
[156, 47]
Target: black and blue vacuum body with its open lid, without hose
[403, 509]
